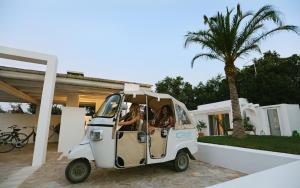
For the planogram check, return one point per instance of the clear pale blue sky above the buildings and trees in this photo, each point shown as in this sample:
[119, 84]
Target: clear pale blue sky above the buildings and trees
[130, 40]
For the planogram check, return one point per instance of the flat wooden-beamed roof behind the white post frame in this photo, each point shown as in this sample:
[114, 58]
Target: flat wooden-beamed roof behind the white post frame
[30, 82]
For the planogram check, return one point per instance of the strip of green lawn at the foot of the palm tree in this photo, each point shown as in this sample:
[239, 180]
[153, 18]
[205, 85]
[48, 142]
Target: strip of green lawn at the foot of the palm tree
[270, 143]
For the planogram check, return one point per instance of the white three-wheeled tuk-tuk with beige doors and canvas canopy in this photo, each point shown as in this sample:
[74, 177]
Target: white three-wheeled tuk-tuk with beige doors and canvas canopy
[110, 148]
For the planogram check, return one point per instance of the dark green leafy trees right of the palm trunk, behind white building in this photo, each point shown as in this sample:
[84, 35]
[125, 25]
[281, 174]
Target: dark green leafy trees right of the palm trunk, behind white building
[278, 77]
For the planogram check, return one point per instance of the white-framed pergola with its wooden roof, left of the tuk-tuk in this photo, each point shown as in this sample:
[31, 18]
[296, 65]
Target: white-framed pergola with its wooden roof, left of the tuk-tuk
[45, 88]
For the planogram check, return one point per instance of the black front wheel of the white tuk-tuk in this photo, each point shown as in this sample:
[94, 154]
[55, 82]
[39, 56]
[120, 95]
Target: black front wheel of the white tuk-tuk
[78, 170]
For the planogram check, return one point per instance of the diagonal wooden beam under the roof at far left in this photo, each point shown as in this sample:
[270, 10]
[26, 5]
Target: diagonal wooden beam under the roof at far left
[17, 93]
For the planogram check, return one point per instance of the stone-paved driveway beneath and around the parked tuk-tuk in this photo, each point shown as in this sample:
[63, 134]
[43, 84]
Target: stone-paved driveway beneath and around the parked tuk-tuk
[198, 175]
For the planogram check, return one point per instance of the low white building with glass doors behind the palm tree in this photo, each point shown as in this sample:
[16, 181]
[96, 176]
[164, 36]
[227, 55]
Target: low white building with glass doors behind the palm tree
[279, 120]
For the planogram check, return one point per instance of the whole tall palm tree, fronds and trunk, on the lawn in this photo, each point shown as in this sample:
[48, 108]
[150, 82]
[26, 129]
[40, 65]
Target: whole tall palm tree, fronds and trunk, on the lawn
[229, 37]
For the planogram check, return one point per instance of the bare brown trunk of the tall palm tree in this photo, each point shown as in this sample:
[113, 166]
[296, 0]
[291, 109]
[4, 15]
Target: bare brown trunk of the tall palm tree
[238, 128]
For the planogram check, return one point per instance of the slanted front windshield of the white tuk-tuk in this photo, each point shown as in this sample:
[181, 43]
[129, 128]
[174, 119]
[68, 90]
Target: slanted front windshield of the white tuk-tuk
[110, 106]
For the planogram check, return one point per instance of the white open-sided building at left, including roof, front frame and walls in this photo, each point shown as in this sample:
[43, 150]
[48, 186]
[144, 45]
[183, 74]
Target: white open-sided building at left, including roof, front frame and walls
[44, 88]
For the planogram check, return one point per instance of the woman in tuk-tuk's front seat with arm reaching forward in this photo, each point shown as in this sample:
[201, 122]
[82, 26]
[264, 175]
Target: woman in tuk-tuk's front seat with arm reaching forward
[131, 119]
